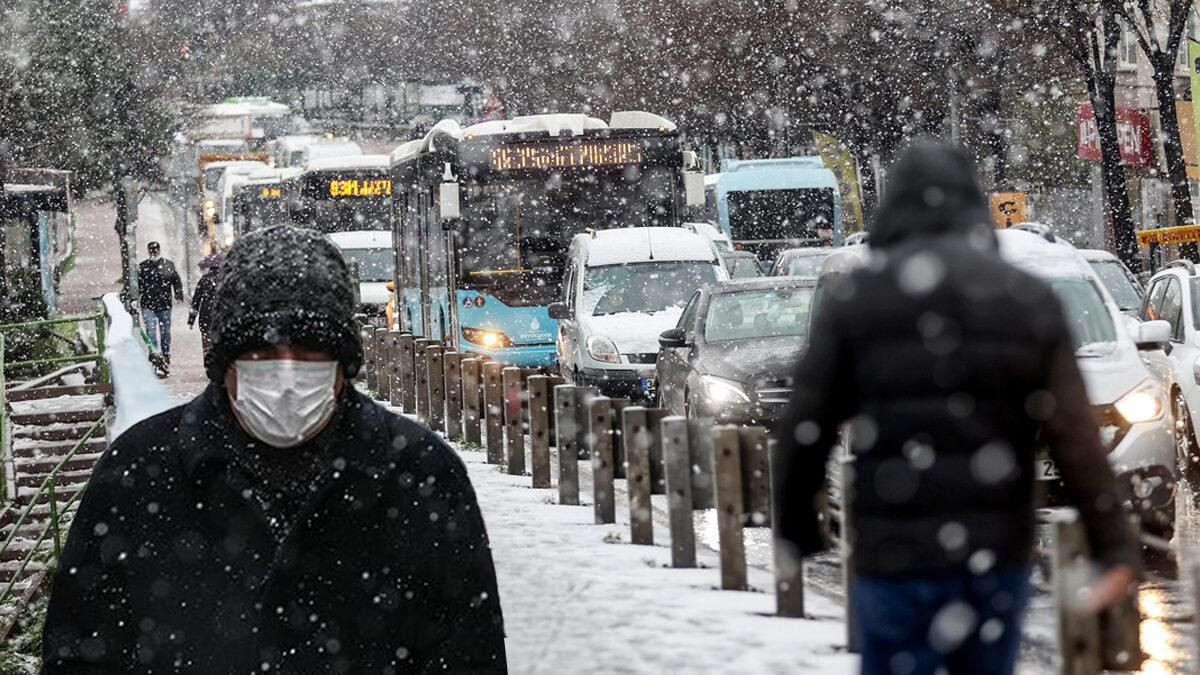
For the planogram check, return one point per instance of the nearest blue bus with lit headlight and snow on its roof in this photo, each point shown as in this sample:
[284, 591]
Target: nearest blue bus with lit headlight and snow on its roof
[484, 216]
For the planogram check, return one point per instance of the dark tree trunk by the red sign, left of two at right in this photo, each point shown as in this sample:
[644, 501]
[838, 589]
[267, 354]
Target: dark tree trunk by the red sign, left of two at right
[1117, 193]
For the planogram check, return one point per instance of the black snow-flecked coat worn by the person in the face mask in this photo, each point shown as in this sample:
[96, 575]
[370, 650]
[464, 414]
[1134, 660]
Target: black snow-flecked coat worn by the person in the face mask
[170, 566]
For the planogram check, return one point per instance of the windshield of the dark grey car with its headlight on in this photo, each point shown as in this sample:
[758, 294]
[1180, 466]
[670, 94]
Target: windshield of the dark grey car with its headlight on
[748, 315]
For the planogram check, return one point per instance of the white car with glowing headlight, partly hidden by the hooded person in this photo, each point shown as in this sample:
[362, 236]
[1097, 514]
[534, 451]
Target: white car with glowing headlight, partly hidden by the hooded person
[1131, 401]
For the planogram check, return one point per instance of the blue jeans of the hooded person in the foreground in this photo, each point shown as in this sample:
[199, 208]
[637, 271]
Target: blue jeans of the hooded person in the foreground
[969, 625]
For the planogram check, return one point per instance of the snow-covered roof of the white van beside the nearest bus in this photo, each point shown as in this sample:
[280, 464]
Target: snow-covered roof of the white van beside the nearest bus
[646, 244]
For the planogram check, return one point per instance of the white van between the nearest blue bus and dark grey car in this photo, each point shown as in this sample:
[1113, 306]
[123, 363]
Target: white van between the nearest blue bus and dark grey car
[621, 290]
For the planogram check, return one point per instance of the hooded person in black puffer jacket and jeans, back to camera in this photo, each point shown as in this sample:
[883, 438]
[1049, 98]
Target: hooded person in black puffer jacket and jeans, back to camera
[946, 365]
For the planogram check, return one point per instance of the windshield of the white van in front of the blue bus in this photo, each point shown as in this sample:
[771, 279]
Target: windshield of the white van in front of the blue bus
[644, 288]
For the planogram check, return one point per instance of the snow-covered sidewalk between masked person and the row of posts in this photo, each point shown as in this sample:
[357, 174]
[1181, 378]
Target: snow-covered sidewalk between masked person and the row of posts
[579, 599]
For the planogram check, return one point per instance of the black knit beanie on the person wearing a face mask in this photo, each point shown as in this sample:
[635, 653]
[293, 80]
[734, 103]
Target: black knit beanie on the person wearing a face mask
[284, 286]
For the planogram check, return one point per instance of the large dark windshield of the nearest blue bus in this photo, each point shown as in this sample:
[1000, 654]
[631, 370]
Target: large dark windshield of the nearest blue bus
[518, 231]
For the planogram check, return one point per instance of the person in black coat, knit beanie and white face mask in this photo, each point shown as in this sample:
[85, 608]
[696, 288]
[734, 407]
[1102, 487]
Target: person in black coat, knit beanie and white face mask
[281, 522]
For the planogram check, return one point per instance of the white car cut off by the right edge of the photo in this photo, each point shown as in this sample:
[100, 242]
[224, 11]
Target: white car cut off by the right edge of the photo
[1174, 296]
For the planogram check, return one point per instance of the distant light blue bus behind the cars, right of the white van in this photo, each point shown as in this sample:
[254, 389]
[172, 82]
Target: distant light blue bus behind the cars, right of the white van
[767, 206]
